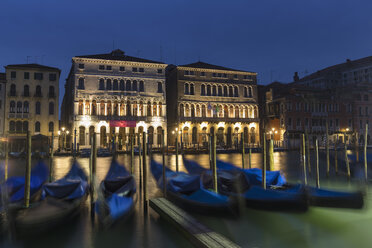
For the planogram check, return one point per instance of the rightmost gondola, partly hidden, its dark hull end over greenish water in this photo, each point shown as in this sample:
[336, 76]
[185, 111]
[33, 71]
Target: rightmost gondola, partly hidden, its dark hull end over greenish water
[316, 197]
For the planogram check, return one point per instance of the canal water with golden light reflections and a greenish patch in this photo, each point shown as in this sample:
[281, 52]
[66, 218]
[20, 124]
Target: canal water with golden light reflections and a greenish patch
[319, 227]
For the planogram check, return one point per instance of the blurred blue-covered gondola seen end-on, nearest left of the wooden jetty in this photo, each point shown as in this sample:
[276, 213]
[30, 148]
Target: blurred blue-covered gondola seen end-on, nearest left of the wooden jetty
[117, 195]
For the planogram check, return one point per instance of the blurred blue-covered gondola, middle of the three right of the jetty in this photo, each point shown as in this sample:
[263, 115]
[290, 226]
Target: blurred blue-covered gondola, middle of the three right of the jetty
[236, 183]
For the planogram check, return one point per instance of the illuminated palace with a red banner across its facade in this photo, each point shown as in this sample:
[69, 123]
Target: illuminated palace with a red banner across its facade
[103, 88]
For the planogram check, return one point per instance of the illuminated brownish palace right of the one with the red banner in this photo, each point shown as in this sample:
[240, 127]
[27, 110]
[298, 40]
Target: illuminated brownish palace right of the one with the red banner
[204, 98]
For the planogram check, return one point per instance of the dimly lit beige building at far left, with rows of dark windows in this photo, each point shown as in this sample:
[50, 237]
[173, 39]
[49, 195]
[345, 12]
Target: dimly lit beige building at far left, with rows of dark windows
[31, 103]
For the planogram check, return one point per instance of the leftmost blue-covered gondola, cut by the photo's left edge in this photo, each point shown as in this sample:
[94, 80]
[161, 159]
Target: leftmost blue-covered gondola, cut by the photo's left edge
[12, 191]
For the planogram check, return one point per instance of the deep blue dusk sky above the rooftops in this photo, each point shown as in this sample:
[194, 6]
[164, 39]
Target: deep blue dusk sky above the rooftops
[273, 38]
